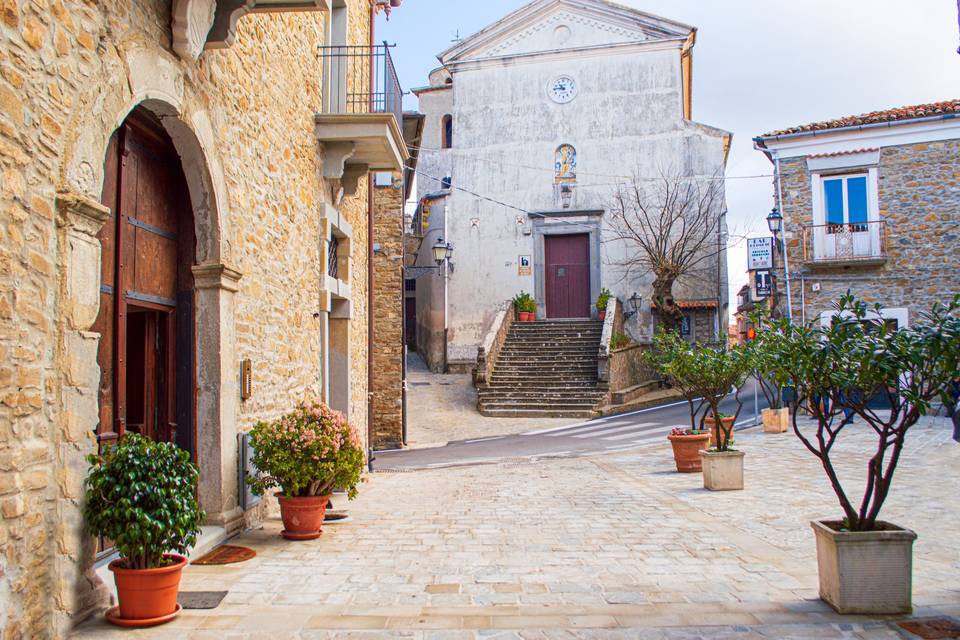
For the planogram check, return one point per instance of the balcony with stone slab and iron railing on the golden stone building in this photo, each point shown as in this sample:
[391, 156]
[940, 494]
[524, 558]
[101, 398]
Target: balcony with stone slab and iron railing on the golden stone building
[359, 126]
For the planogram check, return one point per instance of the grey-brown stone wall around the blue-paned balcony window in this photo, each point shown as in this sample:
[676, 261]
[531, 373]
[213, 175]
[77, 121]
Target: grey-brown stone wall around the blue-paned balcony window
[919, 197]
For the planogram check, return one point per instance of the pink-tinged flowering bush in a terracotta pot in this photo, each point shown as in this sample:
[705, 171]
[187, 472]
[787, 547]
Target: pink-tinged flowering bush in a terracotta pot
[307, 453]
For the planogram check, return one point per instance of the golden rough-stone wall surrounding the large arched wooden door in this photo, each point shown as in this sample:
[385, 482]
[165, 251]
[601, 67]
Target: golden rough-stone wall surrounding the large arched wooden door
[70, 71]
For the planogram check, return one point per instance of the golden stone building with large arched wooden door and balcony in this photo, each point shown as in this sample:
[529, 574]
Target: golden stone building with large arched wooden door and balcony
[185, 198]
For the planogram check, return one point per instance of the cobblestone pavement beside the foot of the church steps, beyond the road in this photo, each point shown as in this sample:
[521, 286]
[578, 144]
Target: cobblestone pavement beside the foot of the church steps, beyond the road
[442, 408]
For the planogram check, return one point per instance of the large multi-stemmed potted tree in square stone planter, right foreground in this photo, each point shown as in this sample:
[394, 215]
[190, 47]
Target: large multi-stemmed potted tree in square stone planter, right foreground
[865, 564]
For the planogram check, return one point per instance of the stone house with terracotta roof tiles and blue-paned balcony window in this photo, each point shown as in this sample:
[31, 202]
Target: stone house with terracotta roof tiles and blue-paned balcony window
[870, 204]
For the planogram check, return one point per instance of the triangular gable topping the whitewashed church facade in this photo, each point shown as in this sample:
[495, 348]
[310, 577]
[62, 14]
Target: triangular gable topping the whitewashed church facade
[549, 25]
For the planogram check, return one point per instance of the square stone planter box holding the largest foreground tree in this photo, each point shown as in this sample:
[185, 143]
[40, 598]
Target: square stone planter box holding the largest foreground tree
[865, 572]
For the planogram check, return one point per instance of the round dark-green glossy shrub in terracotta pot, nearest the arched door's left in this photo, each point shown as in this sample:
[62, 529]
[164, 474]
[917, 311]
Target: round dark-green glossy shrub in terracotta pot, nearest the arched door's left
[140, 494]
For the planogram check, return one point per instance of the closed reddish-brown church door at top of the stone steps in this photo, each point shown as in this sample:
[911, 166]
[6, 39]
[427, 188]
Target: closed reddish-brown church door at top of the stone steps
[567, 274]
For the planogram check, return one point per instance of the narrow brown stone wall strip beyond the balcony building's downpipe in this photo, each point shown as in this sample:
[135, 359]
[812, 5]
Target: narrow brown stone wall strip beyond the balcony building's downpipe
[388, 308]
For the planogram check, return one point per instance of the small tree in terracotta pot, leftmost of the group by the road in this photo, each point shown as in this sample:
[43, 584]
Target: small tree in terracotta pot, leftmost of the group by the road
[673, 358]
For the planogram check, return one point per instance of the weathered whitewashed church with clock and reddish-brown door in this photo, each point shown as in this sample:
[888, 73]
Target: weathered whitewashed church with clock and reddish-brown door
[531, 123]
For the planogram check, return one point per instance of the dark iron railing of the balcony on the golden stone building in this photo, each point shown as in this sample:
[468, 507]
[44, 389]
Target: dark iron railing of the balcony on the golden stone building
[361, 79]
